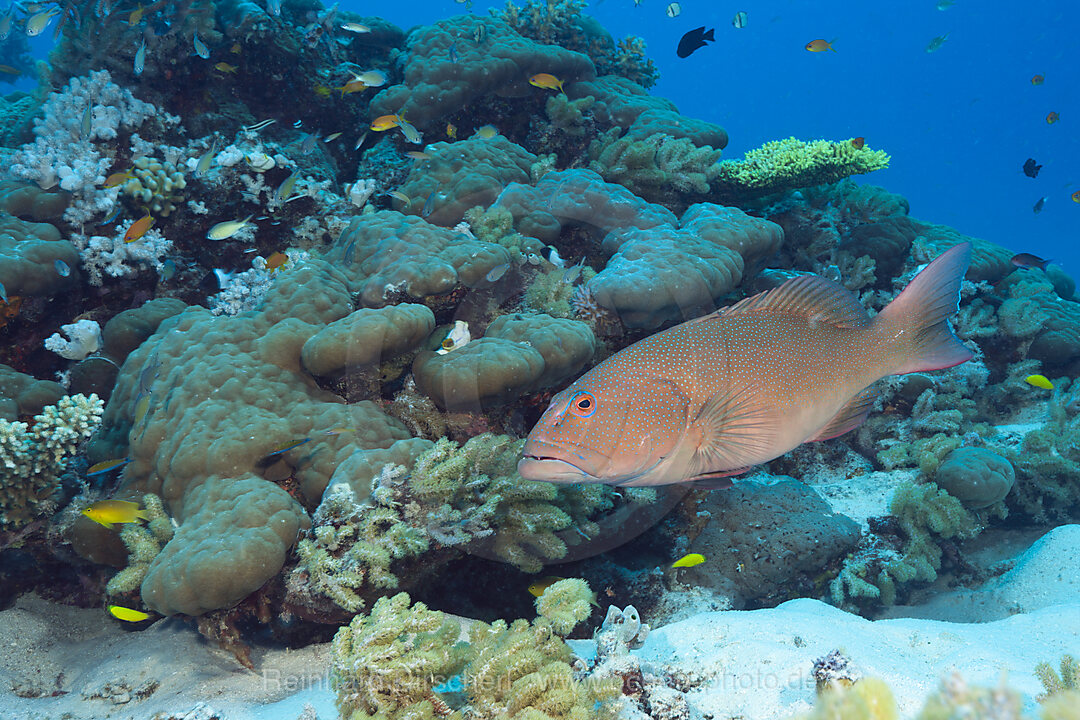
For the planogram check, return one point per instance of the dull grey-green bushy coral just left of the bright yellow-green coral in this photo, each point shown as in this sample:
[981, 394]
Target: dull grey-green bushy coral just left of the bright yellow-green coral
[657, 168]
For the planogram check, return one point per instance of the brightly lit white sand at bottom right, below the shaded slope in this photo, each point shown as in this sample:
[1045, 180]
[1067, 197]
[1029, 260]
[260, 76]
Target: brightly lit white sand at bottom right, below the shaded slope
[761, 661]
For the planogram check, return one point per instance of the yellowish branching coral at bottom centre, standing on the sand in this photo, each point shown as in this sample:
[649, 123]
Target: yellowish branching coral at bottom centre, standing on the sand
[389, 664]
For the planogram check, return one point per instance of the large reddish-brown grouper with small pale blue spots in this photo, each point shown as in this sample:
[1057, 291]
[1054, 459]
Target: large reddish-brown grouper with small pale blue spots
[737, 388]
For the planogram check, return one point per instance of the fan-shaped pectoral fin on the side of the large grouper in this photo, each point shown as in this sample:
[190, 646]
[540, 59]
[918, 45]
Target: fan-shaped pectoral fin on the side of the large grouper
[734, 432]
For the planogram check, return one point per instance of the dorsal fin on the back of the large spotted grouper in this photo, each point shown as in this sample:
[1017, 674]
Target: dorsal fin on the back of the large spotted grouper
[808, 296]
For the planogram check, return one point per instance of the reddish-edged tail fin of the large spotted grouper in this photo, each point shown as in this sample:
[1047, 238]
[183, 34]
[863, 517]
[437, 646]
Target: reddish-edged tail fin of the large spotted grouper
[915, 325]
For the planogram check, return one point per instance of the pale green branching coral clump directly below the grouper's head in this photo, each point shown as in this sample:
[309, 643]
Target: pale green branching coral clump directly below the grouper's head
[430, 496]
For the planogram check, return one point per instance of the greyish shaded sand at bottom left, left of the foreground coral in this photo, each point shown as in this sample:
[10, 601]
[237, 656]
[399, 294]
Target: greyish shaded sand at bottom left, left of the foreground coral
[47, 647]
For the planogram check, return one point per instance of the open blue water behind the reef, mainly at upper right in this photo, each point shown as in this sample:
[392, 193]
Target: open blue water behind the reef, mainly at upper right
[958, 123]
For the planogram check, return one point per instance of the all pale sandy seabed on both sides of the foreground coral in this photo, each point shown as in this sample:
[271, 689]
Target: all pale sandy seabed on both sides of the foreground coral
[757, 664]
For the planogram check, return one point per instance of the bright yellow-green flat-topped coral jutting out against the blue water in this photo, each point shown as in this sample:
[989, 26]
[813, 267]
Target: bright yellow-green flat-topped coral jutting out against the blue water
[790, 165]
